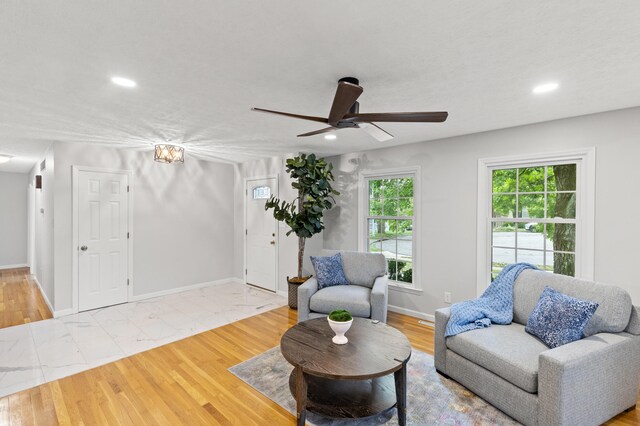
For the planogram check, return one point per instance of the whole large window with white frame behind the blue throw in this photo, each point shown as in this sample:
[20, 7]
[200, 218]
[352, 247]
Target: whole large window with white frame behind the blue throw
[537, 209]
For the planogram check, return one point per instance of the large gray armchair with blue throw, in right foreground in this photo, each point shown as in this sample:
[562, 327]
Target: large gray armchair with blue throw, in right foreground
[582, 383]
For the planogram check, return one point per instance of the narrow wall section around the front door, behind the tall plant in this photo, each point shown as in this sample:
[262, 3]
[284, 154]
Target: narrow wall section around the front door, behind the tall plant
[287, 246]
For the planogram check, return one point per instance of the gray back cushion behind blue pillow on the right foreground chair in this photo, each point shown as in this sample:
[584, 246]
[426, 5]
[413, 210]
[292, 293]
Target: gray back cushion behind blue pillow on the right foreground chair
[614, 303]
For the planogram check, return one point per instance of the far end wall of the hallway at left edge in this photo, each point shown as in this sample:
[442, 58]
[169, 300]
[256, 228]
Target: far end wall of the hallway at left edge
[13, 219]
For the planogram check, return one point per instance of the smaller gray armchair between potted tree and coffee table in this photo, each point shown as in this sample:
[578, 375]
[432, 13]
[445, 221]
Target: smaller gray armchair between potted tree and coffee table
[366, 295]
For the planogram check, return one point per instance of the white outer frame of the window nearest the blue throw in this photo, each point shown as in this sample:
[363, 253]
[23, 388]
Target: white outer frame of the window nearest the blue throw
[585, 207]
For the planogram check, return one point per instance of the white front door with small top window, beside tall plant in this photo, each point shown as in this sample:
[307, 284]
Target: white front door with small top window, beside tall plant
[260, 235]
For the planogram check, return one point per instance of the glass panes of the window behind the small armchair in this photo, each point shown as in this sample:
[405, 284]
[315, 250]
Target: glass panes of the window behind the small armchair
[390, 221]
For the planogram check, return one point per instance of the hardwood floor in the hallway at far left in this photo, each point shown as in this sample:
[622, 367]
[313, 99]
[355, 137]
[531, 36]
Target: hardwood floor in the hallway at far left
[20, 298]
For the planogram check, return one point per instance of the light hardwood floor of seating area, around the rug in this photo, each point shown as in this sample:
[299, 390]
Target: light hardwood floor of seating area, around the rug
[185, 382]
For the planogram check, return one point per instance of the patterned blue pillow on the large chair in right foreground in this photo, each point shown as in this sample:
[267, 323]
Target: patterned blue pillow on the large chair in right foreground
[559, 319]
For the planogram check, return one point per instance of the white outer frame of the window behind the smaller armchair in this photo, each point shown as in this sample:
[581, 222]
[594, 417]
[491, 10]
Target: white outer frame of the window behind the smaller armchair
[363, 230]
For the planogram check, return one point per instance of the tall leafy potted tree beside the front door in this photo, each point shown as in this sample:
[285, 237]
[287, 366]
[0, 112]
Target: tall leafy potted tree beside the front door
[312, 178]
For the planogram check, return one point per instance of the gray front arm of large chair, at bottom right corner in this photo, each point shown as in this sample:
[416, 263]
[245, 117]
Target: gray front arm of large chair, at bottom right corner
[588, 381]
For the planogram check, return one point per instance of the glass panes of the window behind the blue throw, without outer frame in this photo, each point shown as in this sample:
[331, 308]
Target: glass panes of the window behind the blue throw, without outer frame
[533, 217]
